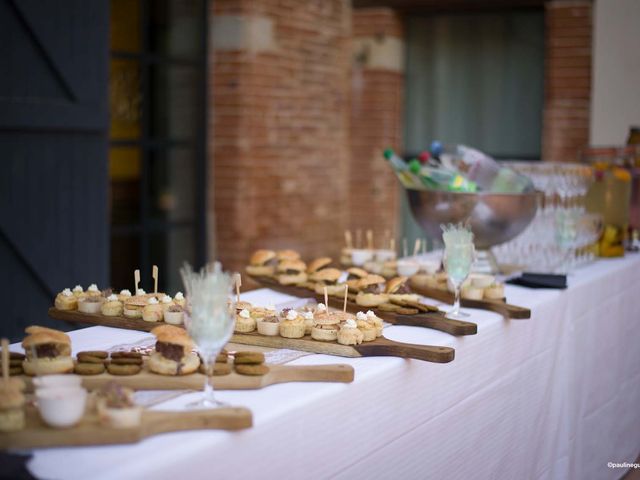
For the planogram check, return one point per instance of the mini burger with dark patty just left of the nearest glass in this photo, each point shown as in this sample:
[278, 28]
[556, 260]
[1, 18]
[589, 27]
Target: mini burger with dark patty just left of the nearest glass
[173, 354]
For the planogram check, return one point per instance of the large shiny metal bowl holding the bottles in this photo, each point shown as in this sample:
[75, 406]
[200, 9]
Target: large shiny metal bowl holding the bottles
[495, 218]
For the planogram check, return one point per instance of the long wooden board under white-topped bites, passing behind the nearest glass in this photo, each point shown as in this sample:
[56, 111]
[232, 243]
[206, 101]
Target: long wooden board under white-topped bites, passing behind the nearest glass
[379, 347]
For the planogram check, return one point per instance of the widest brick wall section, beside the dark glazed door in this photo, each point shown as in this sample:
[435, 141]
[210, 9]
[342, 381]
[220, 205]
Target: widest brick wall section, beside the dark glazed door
[279, 126]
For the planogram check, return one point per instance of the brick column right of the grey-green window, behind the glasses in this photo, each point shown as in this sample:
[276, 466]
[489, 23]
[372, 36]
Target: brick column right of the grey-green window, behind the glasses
[567, 79]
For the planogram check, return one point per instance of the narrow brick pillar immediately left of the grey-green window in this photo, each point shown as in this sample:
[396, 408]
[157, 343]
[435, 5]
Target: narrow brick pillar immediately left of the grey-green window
[376, 118]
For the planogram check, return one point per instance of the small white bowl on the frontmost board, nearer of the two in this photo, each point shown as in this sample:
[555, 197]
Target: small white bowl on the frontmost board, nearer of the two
[61, 407]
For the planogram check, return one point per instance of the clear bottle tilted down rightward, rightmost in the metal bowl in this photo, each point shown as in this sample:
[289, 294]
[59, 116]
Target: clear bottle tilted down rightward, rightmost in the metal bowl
[481, 169]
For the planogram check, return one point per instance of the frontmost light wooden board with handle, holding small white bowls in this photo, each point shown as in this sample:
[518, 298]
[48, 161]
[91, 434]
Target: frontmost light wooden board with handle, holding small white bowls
[91, 432]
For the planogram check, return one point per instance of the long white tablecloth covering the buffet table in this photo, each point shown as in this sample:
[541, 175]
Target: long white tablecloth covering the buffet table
[556, 396]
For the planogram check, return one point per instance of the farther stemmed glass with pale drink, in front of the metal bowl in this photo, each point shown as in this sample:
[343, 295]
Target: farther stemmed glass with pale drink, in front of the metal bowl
[459, 254]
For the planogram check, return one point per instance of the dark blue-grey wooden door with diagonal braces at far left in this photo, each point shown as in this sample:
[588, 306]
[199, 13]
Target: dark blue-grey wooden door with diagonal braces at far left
[53, 154]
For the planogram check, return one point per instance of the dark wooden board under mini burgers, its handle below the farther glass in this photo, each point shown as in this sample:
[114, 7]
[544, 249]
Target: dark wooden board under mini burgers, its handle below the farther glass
[433, 320]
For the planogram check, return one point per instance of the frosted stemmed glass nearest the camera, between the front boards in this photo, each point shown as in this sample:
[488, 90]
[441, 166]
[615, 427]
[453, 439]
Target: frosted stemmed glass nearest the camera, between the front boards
[210, 319]
